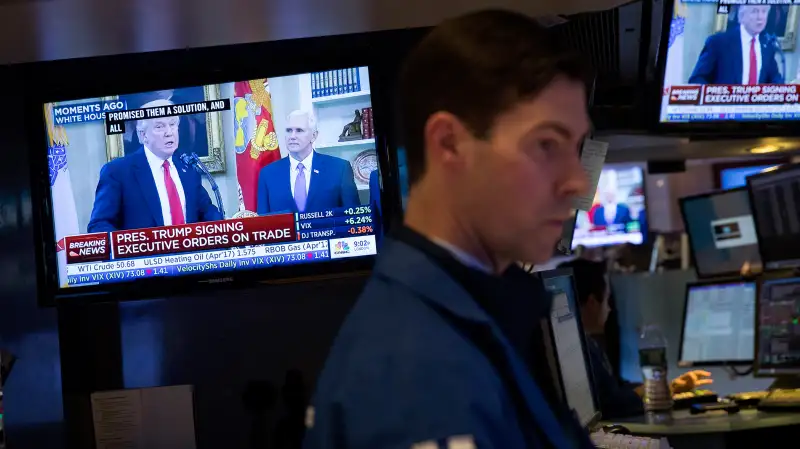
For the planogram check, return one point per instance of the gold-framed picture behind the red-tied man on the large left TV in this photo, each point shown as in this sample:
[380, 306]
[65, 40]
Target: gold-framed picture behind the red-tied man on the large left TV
[198, 133]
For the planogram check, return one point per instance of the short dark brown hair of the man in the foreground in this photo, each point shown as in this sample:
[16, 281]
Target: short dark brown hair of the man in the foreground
[477, 67]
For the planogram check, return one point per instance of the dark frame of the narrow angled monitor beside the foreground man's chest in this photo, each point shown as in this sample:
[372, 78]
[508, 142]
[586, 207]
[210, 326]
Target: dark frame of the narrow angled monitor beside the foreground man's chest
[560, 273]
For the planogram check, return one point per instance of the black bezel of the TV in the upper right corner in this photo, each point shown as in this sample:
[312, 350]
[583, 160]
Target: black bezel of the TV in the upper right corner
[707, 129]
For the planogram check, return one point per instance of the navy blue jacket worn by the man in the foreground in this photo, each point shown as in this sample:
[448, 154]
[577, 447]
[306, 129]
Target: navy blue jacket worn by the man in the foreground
[405, 369]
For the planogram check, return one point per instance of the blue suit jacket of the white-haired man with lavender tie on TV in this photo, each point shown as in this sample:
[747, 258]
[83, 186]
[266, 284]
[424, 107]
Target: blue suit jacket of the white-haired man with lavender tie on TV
[332, 185]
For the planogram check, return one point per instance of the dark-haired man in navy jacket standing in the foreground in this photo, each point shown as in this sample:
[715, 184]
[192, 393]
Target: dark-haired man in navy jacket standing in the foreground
[439, 351]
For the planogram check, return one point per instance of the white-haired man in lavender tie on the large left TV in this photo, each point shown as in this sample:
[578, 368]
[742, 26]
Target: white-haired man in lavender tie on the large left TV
[316, 181]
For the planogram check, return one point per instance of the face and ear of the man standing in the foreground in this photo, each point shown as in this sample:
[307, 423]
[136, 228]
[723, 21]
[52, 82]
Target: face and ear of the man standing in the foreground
[519, 184]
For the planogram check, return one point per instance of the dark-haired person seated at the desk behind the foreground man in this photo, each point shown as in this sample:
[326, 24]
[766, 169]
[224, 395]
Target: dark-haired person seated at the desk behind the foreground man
[617, 399]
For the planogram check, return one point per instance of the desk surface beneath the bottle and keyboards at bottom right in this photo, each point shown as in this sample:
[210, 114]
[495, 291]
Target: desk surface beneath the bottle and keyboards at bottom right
[717, 430]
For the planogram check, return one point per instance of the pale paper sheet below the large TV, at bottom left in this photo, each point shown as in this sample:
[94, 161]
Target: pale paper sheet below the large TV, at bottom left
[145, 418]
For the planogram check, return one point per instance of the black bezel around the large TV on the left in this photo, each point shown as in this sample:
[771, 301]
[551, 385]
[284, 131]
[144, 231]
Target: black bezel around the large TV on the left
[123, 74]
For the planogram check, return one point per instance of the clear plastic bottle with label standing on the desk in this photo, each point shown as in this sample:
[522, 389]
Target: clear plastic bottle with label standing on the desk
[653, 360]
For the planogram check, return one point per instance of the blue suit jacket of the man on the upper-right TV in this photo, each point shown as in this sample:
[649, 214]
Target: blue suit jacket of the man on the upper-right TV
[720, 62]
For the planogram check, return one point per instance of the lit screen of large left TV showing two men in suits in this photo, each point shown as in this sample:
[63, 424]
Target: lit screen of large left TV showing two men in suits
[243, 175]
